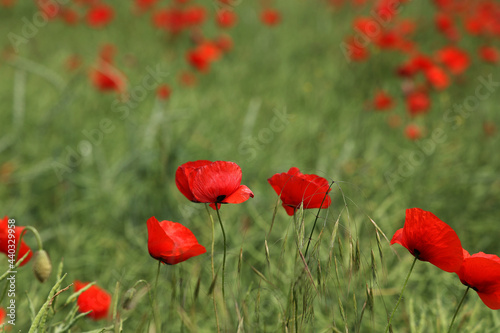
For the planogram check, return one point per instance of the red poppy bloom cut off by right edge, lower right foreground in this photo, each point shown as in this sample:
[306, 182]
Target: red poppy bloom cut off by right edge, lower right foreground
[481, 272]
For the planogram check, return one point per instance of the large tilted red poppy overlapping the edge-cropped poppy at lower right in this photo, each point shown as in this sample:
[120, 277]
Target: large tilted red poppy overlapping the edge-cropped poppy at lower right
[430, 239]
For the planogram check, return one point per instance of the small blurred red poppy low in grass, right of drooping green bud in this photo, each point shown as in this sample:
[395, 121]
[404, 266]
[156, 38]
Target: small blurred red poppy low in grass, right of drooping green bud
[93, 299]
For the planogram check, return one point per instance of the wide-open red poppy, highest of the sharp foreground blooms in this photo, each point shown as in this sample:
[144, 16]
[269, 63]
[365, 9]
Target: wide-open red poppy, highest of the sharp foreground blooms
[212, 182]
